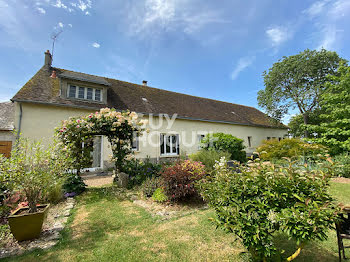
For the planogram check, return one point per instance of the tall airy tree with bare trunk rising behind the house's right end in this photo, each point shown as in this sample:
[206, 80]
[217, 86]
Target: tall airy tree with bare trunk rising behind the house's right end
[297, 81]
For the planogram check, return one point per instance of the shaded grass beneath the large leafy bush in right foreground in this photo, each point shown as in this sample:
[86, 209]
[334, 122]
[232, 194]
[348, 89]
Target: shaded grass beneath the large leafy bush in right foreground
[311, 252]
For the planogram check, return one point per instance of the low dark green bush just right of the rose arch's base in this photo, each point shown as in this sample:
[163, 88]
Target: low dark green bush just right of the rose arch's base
[139, 170]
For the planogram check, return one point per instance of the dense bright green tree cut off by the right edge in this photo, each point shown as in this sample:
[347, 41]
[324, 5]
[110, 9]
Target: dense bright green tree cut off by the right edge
[334, 129]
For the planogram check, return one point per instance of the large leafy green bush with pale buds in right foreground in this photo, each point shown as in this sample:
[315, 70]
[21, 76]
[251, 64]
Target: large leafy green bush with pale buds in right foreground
[265, 199]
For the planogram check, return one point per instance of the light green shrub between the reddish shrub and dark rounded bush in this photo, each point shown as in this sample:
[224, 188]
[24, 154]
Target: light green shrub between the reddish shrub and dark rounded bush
[208, 157]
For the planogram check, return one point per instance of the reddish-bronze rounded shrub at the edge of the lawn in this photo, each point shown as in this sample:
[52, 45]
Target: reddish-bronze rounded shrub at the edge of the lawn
[179, 179]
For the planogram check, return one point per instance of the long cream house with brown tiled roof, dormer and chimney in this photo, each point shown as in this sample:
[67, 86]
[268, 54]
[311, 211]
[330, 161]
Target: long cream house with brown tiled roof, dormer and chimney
[177, 122]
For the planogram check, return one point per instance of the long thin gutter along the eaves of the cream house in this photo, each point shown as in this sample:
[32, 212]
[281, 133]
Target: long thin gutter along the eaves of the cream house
[154, 114]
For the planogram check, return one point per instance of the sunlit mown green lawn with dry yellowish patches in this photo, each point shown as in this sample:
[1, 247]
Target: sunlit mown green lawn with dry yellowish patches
[107, 227]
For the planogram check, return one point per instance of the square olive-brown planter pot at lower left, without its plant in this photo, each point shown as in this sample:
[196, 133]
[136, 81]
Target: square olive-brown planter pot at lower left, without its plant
[28, 225]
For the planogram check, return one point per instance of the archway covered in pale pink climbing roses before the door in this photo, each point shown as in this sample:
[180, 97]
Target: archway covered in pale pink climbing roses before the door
[77, 134]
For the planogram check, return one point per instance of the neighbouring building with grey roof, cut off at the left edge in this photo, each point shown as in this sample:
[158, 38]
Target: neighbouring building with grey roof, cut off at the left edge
[6, 128]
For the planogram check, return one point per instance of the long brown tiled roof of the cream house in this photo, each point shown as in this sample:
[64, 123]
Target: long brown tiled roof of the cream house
[142, 99]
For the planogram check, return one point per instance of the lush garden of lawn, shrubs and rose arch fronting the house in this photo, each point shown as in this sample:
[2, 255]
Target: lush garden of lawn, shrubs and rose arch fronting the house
[280, 204]
